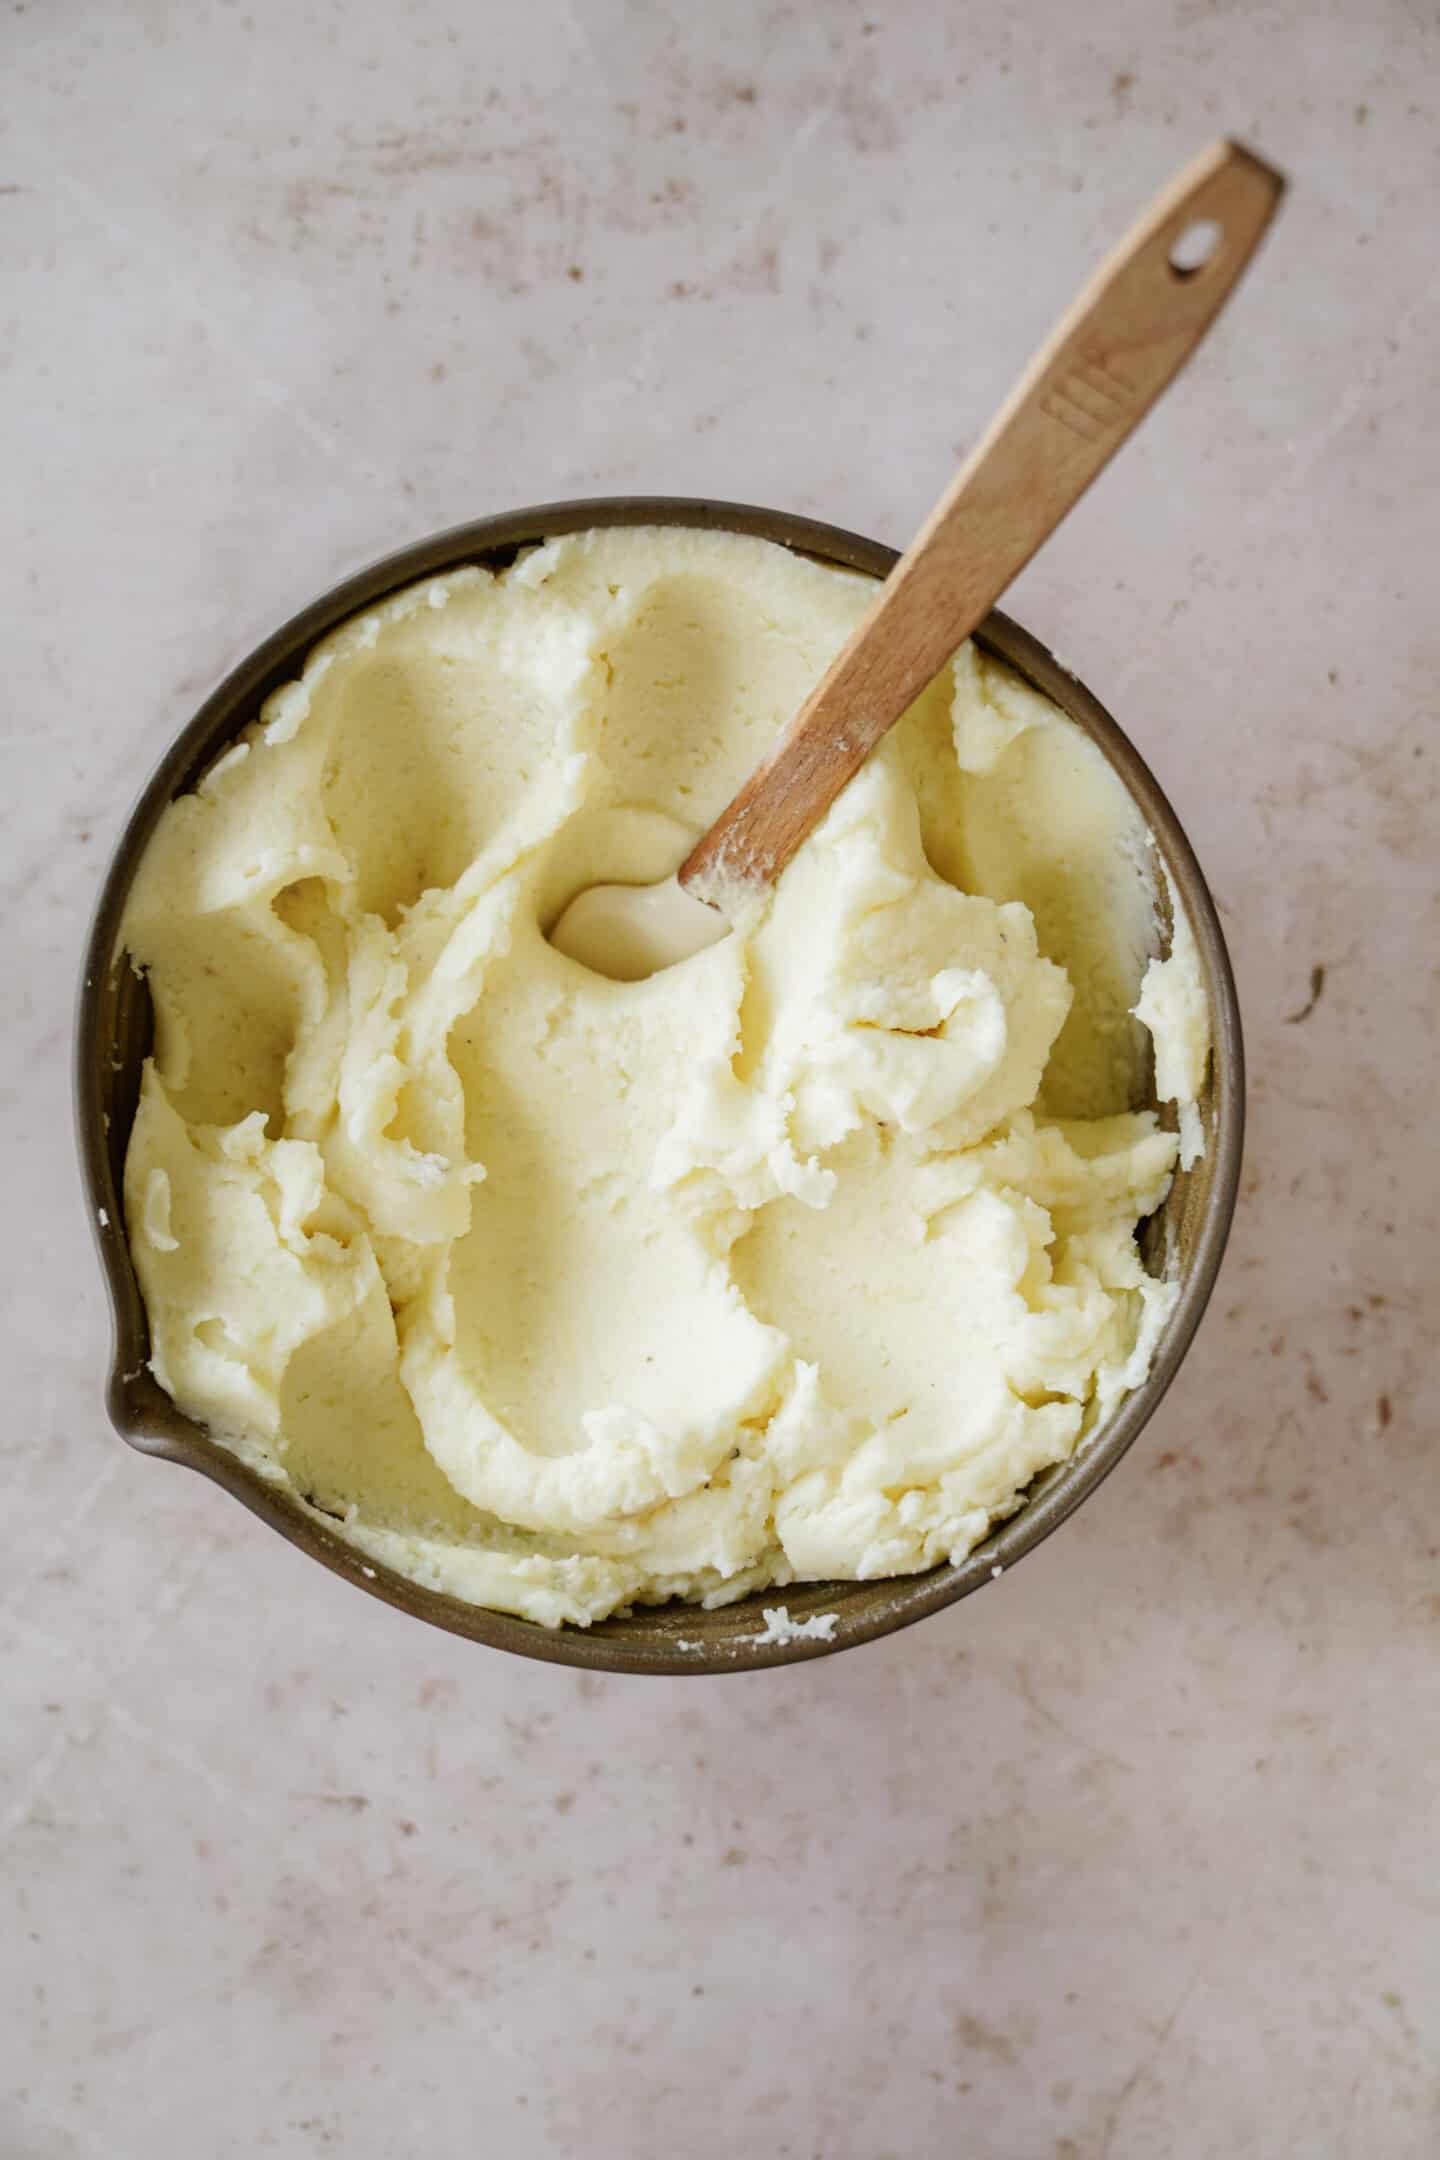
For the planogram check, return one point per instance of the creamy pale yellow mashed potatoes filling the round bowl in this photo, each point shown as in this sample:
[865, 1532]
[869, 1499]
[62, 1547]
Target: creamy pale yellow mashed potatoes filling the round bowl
[793, 1263]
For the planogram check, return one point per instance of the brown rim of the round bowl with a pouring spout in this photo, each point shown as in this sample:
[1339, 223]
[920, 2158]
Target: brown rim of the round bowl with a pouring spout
[653, 1638]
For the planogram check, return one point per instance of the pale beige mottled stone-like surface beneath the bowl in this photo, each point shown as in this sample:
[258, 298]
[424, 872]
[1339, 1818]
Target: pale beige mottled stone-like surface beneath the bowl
[1132, 1854]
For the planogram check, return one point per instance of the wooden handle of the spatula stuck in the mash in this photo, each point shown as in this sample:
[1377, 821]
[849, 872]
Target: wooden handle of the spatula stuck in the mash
[1106, 364]
